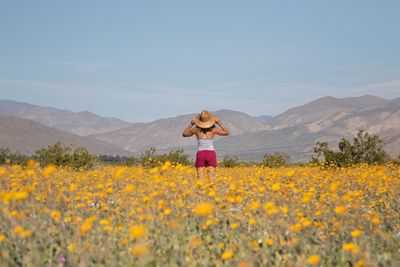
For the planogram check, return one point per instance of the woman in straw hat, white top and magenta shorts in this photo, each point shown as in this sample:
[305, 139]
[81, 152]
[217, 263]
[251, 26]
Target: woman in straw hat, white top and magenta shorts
[203, 126]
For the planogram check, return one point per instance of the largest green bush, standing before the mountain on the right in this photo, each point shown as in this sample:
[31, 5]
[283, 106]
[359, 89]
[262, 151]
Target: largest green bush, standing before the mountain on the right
[364, 149]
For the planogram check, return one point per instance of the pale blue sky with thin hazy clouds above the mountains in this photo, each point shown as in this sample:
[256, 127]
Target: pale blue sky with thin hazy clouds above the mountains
[143, 60]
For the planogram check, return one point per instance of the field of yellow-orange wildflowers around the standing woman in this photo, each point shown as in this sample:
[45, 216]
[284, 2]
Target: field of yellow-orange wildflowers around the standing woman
[247, 216]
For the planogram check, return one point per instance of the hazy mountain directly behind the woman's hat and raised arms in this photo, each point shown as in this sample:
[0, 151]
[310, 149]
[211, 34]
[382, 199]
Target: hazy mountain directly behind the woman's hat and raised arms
[167, 133]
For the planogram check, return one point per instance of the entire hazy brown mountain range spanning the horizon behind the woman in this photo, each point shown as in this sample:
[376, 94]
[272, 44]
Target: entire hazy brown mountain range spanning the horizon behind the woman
[294, 131]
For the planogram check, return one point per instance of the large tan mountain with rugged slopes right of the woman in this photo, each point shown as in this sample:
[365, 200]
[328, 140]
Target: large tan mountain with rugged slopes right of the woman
[325, 119]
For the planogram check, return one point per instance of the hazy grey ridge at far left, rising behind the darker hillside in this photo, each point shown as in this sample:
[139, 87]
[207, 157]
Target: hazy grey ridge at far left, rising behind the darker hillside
[80, 123]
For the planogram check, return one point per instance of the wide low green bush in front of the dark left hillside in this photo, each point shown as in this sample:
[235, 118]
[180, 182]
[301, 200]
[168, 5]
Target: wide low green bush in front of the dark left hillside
[60, 155]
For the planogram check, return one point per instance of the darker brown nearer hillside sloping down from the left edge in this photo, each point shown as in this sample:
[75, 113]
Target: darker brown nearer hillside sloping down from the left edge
[27, 136]
